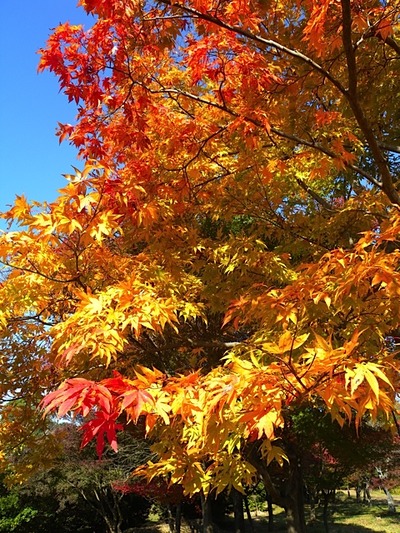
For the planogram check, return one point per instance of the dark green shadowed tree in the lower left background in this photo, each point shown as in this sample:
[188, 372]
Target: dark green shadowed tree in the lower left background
[79, 491]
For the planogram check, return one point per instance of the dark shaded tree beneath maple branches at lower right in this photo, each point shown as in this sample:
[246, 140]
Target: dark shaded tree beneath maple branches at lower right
[328, 455]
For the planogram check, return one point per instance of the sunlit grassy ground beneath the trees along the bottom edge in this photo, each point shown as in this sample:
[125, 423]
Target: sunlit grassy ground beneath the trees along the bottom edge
[345, 516]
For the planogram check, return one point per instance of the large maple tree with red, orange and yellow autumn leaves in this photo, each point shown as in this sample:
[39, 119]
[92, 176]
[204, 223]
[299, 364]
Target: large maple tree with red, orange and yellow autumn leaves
[229, 249]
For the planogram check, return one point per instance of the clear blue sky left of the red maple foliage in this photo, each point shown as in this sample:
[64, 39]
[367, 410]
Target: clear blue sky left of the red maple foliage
[32, 161]
